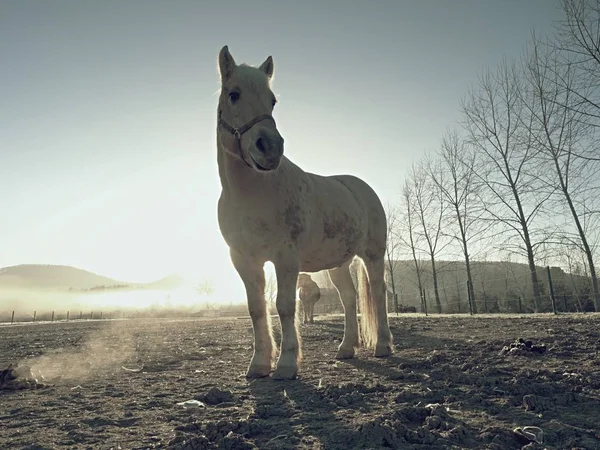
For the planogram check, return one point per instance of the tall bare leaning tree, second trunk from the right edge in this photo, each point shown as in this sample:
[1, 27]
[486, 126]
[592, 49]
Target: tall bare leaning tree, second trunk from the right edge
[496, 128]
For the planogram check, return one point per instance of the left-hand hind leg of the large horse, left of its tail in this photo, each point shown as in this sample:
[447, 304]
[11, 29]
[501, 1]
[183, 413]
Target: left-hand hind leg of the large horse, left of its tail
[341, 279]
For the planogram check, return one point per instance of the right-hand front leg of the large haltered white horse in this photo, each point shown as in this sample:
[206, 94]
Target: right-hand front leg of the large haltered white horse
[290, 353]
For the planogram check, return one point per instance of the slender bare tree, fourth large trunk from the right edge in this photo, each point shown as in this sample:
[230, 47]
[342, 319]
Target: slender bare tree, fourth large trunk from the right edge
[428, 209]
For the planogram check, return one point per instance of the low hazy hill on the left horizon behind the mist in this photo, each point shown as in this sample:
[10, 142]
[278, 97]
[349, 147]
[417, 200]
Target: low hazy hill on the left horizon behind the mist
[57, 277]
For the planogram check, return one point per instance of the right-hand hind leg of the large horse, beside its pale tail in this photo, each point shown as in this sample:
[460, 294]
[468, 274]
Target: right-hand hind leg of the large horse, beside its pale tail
[377, 314]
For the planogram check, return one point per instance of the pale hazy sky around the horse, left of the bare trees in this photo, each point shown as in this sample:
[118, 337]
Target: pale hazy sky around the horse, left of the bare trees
[108, 112]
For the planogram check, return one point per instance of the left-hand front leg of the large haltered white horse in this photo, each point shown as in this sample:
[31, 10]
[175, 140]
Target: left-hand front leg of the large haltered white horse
[253, 277]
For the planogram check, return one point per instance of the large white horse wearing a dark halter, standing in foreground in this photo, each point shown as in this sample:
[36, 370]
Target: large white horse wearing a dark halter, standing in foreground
[271, 210]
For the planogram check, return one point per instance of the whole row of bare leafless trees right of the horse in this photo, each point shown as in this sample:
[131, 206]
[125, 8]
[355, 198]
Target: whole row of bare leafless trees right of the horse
[520, 175]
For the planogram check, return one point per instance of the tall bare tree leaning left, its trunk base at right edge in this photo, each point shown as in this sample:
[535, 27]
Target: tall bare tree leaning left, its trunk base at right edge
[558, 133]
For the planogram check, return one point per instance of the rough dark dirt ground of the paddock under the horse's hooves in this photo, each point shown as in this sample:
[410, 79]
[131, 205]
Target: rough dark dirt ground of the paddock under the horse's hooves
[449, 385]
